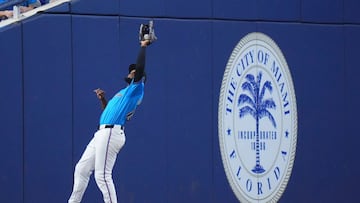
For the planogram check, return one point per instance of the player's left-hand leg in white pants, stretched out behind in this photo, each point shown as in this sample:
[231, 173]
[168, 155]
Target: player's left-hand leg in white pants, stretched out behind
[83, 170]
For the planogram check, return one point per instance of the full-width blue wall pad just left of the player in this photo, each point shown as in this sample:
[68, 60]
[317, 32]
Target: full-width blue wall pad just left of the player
[47, 108]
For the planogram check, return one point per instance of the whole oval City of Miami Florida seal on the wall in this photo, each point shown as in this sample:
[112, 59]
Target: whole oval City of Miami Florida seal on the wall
[257, 120]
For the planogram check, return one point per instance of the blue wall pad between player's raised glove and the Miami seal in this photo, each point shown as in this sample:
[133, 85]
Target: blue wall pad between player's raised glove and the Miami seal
[188, 125]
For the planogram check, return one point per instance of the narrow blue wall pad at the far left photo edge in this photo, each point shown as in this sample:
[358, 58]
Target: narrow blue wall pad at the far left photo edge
[11, 120]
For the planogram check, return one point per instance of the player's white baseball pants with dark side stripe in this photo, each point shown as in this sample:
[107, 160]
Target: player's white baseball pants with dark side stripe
[99, 155]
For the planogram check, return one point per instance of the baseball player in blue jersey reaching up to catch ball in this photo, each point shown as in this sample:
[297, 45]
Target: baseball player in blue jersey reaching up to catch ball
[100, 154]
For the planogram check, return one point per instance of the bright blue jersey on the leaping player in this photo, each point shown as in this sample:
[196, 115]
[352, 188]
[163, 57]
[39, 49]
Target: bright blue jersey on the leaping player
[122, 106]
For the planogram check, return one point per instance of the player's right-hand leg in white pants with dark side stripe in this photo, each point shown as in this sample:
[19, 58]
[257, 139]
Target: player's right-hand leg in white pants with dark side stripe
[108, 144]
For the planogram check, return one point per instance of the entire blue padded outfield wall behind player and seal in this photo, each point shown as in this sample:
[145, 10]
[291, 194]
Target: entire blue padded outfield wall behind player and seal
[54, 61]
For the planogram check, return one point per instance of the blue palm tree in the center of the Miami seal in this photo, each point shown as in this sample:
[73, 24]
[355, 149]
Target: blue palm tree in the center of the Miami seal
[257, 107]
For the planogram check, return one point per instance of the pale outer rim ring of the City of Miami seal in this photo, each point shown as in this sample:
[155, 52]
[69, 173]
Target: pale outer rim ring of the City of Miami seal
[263, 37]
